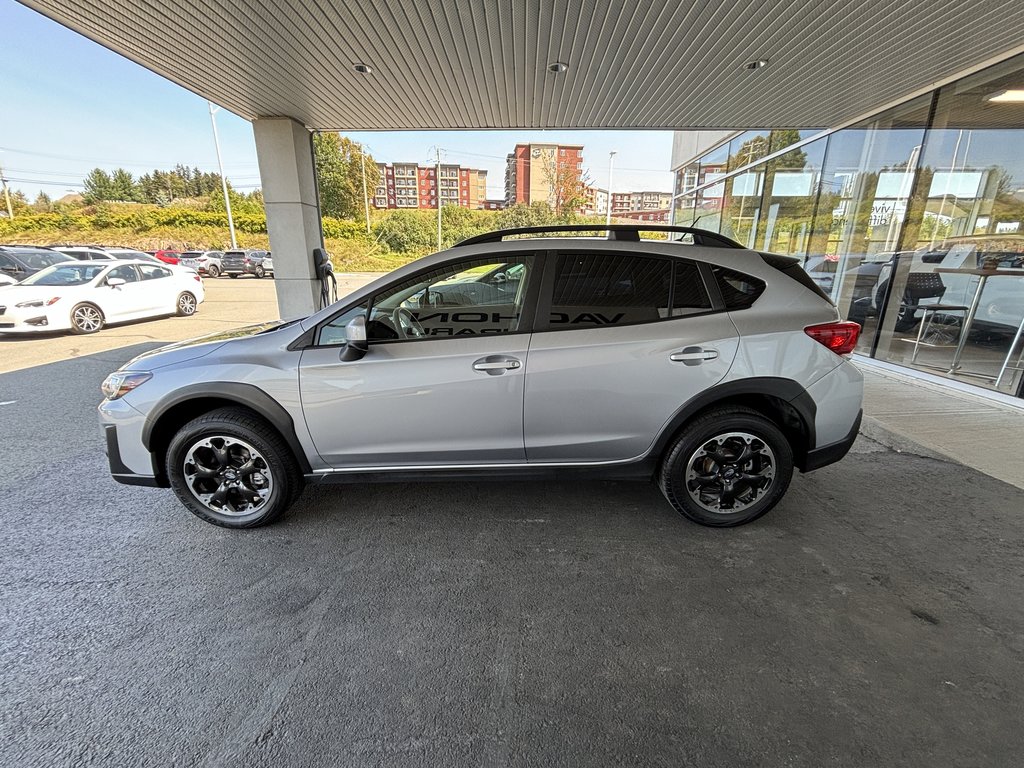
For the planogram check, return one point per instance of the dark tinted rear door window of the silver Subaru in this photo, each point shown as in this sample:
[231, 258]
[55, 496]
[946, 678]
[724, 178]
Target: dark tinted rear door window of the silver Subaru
[601, 289]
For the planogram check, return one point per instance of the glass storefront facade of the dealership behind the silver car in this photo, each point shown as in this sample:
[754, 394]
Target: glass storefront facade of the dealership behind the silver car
[912, 221]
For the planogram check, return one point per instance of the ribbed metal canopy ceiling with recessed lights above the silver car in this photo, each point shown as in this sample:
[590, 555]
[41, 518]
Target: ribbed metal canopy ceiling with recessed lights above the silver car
[484, 64]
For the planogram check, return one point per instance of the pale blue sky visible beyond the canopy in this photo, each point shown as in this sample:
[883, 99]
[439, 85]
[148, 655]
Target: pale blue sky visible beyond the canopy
[70, 106]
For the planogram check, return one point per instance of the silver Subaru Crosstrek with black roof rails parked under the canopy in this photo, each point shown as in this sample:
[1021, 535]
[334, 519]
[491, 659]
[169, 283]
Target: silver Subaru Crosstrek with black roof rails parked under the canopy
[709, 368]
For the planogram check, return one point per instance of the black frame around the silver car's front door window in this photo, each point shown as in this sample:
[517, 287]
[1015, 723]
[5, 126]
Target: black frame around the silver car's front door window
[528, 317]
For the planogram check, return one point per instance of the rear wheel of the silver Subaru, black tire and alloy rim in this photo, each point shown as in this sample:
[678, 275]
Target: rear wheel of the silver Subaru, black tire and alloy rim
[733, 432]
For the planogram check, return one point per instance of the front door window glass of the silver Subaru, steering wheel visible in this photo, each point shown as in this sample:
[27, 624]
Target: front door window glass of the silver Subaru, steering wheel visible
[468, 298]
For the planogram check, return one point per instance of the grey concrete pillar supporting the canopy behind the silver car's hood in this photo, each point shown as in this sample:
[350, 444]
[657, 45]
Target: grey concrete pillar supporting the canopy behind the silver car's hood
[285, 152]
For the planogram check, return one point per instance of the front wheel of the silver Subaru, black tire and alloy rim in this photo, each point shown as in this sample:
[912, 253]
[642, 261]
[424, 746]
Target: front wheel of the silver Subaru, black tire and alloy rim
[223, 442]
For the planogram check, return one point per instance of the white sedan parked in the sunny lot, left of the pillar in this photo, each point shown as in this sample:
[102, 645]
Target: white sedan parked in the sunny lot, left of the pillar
[83, 296]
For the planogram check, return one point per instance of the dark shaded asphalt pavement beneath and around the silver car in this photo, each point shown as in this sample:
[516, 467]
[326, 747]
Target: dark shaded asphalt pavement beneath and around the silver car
[875, 618]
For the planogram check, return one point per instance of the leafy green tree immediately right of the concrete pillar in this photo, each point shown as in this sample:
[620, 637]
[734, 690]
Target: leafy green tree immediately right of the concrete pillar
[339, 176]
